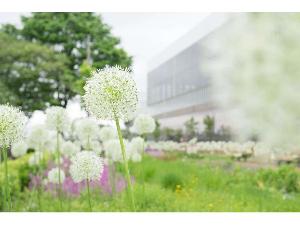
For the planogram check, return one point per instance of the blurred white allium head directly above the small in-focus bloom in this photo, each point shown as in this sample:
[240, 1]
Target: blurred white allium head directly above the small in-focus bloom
[87, 129]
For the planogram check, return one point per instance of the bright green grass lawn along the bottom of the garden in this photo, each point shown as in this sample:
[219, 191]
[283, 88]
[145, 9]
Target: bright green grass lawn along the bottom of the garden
[188, 184]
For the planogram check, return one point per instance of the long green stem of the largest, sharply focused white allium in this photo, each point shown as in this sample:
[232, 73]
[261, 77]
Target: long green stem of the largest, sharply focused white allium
[125, 163]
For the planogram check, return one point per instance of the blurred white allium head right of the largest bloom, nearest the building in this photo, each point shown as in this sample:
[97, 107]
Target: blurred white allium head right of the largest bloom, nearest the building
[143, 124]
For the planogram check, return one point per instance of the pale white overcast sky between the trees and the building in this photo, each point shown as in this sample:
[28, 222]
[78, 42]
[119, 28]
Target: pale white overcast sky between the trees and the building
[143, 35]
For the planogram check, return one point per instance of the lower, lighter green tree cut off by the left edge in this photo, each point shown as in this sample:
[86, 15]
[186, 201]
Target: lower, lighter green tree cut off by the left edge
[31, 75]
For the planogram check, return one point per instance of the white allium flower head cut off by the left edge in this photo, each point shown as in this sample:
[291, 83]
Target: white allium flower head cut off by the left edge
[12, 123]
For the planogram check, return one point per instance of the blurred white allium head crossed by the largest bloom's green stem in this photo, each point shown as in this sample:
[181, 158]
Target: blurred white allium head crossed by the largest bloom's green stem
[113, 150]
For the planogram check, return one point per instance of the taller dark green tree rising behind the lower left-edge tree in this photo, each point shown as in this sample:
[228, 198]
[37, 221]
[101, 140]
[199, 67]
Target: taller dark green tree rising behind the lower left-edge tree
[83, 37]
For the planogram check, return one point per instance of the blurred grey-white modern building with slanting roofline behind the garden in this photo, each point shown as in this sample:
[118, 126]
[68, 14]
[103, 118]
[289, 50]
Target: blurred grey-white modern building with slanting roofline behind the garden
[177, 84]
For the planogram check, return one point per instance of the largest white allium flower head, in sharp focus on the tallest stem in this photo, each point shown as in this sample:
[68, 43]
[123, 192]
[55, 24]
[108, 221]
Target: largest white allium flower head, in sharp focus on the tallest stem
[111, 92]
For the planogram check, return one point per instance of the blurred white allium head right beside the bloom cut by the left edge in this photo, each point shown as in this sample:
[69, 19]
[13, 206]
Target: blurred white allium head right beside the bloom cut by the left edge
[38, 137]
